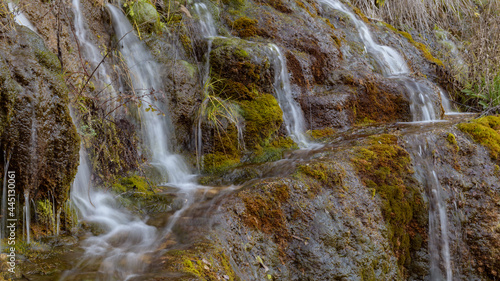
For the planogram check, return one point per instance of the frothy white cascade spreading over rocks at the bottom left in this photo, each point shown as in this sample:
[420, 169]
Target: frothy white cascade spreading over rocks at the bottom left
[125, 241]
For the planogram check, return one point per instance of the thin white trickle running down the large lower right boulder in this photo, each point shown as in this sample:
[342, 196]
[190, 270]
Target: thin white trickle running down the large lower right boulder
[438, 233]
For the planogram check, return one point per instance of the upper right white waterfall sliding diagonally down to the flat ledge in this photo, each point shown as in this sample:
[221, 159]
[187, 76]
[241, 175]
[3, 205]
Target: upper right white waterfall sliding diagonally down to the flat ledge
[393, 65]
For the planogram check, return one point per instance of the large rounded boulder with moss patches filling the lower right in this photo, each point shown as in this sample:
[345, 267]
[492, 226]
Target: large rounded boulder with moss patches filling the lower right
[356, 210]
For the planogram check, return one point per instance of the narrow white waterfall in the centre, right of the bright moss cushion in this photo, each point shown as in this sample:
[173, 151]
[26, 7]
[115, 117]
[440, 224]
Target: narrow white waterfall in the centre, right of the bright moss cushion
[292, 113]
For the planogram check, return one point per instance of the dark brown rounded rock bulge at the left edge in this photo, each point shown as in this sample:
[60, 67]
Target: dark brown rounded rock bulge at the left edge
[37, 132]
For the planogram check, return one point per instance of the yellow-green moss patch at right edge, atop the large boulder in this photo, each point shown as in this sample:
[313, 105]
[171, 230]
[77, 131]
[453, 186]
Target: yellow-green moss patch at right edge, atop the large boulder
[485, 131]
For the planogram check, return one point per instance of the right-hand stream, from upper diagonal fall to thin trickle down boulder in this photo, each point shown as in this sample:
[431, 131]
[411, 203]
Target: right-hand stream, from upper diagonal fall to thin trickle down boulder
[422, 108]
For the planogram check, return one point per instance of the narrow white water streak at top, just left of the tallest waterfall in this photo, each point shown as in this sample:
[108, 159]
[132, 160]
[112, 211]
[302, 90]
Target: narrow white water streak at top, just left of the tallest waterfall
[92, 53]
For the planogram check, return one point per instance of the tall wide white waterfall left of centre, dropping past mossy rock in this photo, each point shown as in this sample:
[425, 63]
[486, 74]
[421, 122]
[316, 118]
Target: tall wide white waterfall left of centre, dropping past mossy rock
[146, 83]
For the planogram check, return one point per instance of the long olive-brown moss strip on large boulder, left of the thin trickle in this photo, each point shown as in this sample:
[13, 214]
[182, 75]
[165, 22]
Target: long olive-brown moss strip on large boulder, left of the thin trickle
[386, 167]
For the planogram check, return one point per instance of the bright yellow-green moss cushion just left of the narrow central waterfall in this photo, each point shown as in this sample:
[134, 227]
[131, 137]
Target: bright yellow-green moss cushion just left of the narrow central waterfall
[263, 118]
